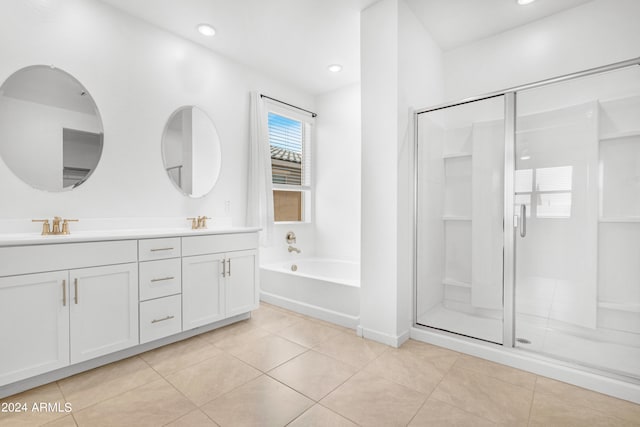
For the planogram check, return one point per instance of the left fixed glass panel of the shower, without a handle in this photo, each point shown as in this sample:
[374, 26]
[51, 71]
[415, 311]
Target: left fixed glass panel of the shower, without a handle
[460, 209]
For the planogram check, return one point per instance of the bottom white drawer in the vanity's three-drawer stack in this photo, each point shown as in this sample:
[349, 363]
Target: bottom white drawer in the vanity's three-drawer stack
[160, 318]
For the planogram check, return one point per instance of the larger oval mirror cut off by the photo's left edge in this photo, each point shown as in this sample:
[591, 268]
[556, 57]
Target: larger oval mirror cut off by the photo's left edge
[51, 132]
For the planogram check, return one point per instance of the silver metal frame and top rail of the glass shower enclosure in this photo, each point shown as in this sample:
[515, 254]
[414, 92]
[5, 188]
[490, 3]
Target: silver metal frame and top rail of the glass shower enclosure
[509, 230]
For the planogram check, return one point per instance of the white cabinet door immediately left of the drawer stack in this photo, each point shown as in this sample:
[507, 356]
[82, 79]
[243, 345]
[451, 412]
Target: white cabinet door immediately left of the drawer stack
[104, 310]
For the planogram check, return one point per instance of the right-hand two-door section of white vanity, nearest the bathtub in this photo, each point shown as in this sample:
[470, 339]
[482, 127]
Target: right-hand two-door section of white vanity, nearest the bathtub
[220, 277]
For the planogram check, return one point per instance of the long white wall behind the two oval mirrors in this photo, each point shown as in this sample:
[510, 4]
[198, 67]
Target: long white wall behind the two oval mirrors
[137, 75]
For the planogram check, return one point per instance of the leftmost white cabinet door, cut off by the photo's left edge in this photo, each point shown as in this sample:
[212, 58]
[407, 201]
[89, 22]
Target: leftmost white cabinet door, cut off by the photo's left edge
[34, 319]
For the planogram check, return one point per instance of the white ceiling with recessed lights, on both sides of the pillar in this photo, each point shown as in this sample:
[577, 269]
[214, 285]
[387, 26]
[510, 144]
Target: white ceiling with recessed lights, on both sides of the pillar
[295, 40]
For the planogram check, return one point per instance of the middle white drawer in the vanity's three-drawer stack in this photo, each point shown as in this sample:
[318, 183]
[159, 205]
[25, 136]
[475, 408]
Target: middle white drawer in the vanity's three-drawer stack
[160, 278]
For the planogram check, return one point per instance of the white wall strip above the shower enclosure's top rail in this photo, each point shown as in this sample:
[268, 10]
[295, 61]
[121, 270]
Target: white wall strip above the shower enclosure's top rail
[596, 33]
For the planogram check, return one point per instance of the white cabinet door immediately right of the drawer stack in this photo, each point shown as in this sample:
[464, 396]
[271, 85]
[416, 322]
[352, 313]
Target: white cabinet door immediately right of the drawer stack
[202, 293]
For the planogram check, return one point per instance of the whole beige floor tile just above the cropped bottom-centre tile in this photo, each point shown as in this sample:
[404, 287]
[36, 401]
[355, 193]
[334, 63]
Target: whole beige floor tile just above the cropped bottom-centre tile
[313, 374]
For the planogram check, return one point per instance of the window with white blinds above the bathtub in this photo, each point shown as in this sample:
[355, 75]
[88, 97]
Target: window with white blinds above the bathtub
[290, 145]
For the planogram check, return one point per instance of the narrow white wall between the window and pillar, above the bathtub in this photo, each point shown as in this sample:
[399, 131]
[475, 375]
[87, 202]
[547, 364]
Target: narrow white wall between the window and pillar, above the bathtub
[337, 174]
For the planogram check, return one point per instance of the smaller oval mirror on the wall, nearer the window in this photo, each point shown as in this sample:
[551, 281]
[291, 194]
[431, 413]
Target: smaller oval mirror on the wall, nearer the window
[191, 151]
